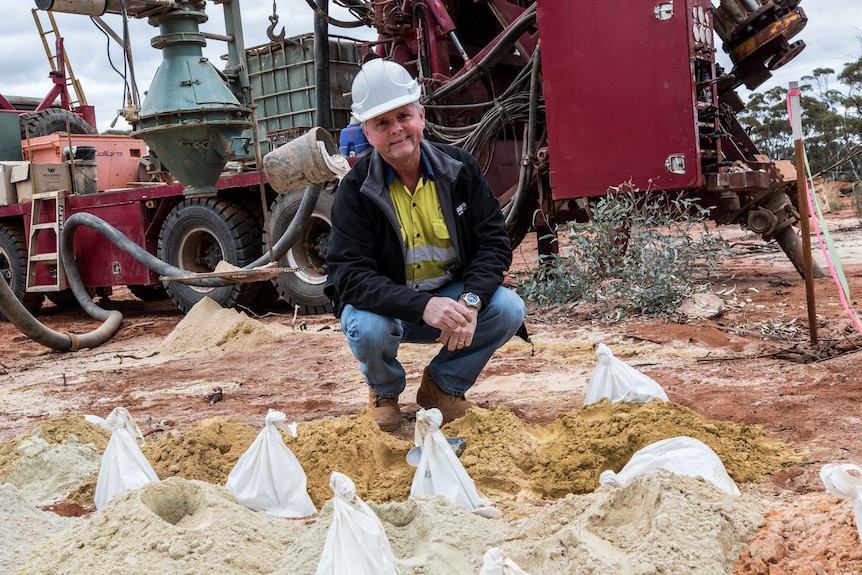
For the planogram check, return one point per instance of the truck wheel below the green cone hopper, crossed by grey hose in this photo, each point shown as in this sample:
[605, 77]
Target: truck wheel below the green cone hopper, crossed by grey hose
[196, 235]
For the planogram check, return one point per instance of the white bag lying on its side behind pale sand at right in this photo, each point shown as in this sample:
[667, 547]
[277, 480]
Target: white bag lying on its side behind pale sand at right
[681, 455]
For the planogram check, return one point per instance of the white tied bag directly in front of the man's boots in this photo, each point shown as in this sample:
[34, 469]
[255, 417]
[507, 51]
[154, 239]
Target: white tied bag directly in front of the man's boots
[439, 471]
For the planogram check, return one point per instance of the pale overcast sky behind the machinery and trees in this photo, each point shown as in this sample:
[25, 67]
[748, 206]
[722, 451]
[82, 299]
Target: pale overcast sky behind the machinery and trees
[832, 36]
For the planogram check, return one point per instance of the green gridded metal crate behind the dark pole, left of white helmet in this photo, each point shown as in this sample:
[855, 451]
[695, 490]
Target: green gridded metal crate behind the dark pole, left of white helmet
[282, 81]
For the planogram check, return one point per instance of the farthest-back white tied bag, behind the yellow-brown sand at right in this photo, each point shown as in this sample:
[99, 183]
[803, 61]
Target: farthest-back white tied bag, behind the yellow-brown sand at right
[618, 381]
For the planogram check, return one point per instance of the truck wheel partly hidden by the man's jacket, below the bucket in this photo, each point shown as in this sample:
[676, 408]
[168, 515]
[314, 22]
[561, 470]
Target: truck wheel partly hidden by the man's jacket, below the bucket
[303, 289]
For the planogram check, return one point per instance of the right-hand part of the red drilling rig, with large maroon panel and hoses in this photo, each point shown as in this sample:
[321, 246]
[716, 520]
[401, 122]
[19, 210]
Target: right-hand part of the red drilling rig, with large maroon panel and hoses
[562, 101]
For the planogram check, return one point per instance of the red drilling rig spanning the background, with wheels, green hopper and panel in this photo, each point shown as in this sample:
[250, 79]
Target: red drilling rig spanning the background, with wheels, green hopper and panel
[559, 101]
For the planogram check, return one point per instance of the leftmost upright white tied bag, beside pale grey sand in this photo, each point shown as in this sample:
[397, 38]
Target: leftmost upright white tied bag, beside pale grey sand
[123, 466]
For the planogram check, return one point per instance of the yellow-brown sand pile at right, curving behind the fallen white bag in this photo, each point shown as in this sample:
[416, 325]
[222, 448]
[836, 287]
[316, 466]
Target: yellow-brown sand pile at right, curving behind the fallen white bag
[513, 459]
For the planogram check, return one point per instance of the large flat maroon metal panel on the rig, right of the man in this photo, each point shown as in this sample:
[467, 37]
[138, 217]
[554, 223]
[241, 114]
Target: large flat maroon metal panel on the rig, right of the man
[624, 101]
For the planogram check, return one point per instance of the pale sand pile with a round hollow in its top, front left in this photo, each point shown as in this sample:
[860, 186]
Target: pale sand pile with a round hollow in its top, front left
[175, 527]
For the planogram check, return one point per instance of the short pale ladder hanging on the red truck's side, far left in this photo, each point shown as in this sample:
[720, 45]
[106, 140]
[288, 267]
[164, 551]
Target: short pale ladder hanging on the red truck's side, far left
[36, 259]
